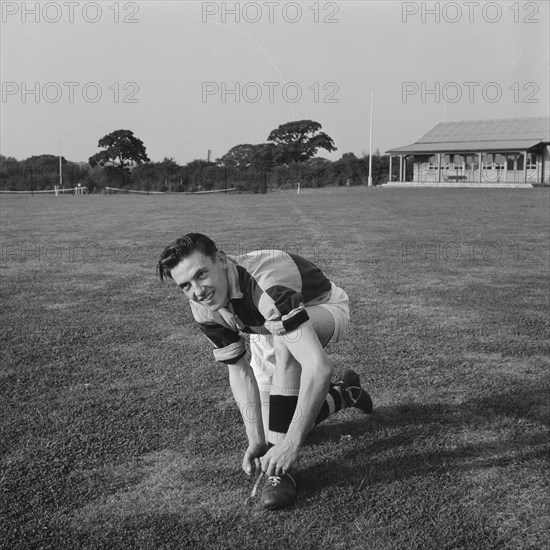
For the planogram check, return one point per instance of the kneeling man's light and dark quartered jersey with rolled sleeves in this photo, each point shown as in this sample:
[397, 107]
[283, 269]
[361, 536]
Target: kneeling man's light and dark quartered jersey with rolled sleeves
[268, 291]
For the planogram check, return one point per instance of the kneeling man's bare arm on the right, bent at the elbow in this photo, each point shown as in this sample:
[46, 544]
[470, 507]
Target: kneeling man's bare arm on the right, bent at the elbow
[314, 382]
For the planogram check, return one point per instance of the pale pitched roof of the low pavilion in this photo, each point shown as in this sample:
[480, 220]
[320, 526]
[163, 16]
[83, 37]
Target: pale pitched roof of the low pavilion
[510, 134]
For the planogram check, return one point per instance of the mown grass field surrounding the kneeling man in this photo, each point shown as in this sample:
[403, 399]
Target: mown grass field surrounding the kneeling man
[118, 429]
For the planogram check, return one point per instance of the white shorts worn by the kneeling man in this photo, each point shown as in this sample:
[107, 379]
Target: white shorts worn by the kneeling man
[261, 345]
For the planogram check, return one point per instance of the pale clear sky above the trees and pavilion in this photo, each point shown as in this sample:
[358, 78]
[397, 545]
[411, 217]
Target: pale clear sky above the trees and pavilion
[190, 77]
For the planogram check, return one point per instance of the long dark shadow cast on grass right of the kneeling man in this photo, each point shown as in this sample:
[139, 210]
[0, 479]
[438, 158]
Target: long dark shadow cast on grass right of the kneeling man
[400, 442]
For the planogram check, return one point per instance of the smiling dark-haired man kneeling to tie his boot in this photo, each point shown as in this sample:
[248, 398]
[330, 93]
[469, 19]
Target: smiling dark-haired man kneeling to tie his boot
[291, 311]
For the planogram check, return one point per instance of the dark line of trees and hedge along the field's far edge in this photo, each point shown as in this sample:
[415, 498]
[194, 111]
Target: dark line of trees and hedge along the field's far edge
[287, 159]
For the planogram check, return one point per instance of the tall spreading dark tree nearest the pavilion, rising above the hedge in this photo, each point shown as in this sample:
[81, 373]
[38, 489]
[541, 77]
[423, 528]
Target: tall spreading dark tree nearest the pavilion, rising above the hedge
[299, 141]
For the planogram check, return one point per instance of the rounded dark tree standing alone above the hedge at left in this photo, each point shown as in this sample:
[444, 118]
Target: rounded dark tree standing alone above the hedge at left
[122, 151]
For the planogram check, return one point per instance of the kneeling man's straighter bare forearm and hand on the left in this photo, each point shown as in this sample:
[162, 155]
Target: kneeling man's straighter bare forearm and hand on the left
[247, 396]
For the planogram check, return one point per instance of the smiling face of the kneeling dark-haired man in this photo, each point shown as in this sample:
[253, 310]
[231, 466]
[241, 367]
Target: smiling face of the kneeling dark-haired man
[203, 280]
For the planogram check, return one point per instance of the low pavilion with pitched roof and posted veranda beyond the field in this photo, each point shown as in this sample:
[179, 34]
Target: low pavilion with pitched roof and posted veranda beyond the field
[513, 152]
